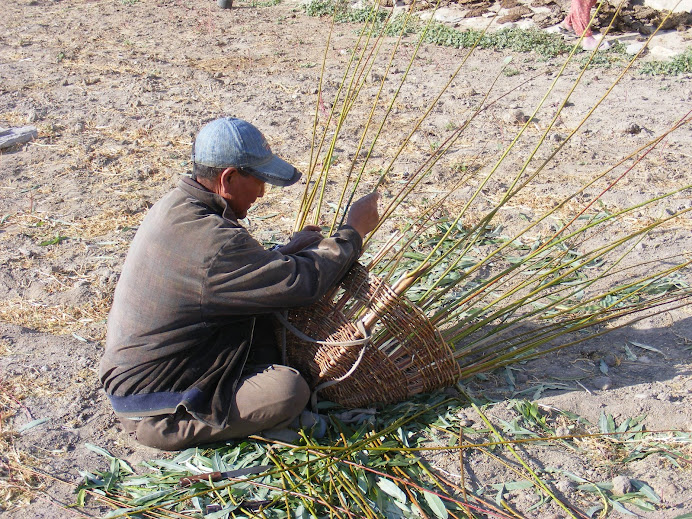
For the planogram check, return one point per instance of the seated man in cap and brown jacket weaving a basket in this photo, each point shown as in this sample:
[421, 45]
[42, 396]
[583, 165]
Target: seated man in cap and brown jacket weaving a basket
[190, 351]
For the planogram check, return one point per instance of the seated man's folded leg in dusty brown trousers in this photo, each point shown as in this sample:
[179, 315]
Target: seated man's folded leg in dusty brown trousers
[268, 399]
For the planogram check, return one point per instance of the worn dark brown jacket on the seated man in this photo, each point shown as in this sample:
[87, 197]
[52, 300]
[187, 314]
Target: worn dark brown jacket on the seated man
[184, 311]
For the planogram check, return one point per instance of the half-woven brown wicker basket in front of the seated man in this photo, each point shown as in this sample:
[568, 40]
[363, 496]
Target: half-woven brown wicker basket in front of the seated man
[404, 355]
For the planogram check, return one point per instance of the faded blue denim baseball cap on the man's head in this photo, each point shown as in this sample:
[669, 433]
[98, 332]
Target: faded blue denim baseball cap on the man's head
[228, 142]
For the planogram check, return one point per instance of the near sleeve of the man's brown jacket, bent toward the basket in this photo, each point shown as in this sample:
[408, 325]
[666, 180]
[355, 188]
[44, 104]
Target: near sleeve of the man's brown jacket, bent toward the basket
[245, 278]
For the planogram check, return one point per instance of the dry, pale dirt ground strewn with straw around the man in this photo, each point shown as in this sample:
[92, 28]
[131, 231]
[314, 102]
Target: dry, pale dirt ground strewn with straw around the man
[117, 88]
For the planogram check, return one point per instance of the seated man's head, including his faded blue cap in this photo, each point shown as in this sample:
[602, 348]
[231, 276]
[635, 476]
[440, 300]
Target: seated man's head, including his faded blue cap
[233, 159]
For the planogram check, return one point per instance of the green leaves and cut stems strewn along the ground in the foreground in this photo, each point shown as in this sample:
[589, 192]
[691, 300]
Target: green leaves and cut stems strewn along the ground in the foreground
[378, 467]
